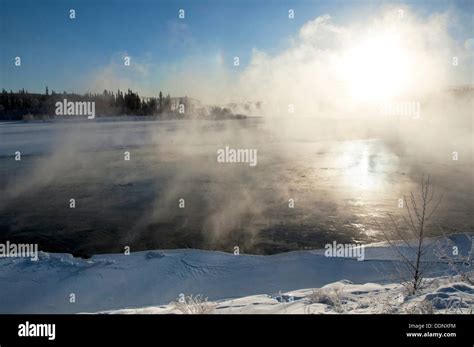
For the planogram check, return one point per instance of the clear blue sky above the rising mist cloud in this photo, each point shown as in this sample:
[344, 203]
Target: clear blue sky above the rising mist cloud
[64, 53]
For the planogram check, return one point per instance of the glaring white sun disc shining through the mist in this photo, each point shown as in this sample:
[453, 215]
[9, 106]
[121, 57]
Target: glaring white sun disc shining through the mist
[376, 69]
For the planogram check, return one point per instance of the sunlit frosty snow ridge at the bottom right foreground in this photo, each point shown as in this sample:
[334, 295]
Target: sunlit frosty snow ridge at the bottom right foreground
[442, 295]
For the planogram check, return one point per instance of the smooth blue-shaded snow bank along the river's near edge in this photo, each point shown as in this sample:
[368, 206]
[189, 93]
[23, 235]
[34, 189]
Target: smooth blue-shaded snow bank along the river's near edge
[155, 278]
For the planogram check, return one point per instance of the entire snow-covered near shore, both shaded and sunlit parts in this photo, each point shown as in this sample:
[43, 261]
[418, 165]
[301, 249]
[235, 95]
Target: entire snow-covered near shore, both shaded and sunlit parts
[147, 282]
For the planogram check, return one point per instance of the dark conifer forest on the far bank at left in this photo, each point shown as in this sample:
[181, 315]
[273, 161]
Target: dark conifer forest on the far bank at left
[23, 105]
